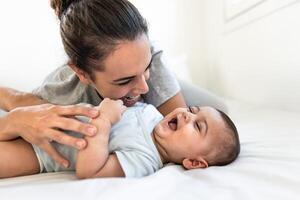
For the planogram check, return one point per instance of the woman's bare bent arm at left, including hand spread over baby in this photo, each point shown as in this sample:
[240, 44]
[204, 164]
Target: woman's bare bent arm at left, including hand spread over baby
[41, 124]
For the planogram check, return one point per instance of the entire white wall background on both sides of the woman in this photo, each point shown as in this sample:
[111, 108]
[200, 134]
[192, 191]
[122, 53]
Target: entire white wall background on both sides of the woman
[249, 53]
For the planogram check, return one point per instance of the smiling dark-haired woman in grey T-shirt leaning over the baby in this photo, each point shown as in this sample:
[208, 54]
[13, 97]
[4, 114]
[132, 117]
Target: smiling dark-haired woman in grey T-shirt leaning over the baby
[109, 56]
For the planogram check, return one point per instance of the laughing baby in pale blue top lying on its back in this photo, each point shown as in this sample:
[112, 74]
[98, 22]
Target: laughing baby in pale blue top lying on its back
[142, 141]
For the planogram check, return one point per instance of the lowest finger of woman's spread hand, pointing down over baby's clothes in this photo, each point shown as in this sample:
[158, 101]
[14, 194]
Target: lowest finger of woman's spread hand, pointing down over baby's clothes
[52, 152]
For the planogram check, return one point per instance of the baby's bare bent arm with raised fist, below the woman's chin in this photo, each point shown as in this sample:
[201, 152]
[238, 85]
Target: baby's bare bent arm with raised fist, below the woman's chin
[94, 160]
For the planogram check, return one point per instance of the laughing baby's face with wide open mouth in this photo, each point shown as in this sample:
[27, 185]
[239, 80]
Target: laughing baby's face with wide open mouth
[189, 132]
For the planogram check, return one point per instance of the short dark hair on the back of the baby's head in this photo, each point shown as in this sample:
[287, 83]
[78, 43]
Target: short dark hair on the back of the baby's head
[227, 150]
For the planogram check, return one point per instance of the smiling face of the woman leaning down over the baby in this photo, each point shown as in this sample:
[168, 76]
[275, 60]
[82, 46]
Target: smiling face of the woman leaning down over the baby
[125, 71]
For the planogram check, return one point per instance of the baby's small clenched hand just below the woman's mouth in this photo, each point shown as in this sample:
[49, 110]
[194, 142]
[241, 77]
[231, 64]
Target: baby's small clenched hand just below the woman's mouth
[111, 110]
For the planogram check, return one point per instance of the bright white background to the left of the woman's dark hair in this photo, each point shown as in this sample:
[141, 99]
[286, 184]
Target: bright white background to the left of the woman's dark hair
[30, 45]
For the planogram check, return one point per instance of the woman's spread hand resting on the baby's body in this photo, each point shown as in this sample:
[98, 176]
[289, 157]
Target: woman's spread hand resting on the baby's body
[44, 123]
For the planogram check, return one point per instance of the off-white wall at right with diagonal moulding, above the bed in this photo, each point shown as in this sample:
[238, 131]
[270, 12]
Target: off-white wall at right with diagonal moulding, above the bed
[255, 56]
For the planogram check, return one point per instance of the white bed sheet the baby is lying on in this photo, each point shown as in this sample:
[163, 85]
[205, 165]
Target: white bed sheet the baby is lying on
[267, 168]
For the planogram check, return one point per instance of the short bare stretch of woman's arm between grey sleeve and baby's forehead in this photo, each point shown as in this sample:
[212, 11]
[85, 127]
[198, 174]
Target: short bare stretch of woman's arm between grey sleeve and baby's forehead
[175, 102]
